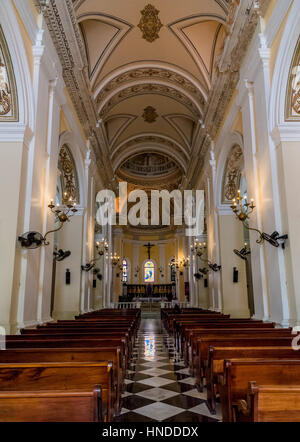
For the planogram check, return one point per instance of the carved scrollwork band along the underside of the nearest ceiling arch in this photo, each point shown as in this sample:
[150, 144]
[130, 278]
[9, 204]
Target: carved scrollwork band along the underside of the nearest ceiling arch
[144, 88]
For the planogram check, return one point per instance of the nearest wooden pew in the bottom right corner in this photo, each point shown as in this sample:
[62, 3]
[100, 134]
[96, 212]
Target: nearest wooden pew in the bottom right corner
[270, 403]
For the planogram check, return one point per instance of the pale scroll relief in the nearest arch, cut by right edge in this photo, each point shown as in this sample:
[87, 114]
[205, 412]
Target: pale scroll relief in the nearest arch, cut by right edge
[293, 98]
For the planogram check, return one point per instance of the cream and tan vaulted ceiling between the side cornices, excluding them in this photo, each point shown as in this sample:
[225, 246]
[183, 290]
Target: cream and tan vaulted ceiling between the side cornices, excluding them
[150, 69]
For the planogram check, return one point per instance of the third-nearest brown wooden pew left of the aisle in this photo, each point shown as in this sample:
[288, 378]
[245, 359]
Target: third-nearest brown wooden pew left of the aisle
[112, 354]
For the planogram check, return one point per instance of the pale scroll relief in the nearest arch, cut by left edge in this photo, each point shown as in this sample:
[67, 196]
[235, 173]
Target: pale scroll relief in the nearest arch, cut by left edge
[8, 95]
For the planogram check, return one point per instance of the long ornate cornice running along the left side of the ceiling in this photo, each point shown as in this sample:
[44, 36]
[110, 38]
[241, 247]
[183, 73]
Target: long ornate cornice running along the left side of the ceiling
[66, 36]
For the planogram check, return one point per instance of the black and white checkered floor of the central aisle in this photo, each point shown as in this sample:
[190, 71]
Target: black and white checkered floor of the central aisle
[158, 387]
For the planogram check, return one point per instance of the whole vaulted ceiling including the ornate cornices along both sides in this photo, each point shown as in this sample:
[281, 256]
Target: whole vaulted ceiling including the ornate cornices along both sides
[150, 77]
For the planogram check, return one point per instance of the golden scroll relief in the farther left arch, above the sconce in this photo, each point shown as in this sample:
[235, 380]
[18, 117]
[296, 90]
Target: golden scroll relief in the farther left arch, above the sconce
[69, 177]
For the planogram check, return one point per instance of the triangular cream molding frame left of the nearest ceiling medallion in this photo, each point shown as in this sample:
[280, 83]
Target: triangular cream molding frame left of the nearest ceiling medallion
[121, 29]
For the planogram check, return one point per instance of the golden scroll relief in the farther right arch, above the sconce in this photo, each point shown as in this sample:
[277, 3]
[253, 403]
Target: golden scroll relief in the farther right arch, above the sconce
[232, 174]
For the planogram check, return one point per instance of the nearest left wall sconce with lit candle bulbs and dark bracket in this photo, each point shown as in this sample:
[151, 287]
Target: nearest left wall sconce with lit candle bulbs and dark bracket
[34, 240]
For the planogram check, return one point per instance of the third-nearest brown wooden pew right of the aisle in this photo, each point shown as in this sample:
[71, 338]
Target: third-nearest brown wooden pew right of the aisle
[217, 355]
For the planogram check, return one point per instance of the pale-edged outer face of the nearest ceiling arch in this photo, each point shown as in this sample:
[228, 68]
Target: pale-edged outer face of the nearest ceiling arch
[168, 75]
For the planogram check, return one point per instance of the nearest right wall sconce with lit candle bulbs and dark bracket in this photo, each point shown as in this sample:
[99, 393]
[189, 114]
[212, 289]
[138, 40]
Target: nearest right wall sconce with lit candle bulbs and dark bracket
[243, 209]
